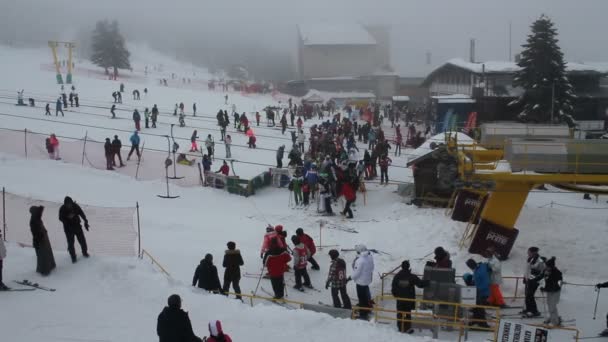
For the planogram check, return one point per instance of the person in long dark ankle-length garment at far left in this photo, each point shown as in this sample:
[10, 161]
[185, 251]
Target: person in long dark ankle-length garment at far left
[45, 261]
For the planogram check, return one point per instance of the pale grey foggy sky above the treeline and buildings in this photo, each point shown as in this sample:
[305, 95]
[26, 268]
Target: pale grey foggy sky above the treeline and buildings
[263, 32]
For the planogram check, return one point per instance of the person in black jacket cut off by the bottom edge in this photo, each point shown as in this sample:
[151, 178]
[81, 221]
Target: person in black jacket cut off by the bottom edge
[173, 323]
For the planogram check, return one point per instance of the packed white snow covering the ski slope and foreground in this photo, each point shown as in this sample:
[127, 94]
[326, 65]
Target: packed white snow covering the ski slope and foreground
[118, 299]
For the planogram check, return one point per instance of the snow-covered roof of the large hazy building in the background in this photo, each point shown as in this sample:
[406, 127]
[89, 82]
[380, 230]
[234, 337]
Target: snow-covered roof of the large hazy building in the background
[335, 34]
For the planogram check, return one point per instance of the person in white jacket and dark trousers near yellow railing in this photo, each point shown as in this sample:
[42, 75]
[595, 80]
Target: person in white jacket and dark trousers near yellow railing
[363, 271]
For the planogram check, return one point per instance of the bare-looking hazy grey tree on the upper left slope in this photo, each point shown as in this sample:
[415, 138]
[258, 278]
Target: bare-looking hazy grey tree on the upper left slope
[108, 47]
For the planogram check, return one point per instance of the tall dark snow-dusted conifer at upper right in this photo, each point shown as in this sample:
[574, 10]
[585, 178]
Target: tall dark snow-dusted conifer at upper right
[543, 77]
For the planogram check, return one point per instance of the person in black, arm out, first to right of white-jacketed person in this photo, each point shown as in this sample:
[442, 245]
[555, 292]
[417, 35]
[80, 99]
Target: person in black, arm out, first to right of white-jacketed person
[403, 287]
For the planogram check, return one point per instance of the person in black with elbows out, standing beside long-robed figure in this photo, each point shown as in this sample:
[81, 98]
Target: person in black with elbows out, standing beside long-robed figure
[70, 214]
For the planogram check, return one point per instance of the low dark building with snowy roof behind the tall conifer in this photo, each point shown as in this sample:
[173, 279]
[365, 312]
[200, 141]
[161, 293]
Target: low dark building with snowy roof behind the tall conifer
[459, 87]
